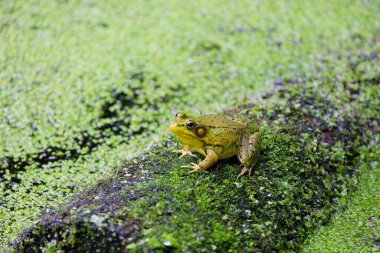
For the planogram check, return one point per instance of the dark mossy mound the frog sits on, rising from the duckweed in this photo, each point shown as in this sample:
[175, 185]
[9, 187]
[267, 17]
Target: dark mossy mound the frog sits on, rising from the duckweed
[309, 156]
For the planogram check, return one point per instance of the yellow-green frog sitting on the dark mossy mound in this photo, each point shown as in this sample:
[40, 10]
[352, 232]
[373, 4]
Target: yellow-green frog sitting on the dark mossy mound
[216, 137]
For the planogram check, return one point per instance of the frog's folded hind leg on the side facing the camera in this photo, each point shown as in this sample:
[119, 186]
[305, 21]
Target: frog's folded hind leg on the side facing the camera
[249, 152]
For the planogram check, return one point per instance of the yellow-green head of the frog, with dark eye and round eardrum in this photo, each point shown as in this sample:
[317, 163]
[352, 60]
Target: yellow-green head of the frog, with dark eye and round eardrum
[187, 126]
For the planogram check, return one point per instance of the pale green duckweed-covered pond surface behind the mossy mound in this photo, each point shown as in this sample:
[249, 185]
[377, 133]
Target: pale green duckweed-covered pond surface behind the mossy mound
[85, 85]
